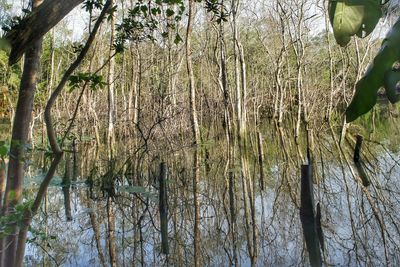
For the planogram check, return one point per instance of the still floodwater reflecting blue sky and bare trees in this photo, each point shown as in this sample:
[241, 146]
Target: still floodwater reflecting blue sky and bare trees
[79, 222]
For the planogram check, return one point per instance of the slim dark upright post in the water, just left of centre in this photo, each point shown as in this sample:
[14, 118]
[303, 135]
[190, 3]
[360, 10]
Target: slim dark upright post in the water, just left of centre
[163, 207]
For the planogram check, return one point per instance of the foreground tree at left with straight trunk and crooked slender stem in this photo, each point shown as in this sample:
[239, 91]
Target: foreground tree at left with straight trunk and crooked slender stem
[14, 243]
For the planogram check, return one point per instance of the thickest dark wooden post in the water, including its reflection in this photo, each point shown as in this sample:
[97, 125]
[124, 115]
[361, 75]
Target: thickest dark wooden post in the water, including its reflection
[307, 217]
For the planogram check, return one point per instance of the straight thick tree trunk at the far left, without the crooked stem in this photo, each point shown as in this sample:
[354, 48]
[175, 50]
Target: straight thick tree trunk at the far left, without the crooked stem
[19, 140]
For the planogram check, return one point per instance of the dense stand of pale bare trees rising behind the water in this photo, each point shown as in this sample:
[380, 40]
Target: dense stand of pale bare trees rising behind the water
[247, 62]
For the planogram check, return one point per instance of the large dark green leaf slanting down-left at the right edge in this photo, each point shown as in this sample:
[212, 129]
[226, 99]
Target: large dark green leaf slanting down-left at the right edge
[378, 74]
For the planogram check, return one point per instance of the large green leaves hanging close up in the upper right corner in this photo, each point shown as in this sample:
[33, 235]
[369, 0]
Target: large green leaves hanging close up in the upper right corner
[356, 17]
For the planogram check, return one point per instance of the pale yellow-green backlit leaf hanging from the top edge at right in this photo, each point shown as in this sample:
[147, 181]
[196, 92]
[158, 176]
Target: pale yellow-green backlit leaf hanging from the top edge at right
[350, 17]
